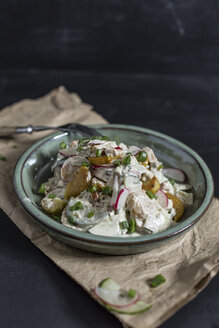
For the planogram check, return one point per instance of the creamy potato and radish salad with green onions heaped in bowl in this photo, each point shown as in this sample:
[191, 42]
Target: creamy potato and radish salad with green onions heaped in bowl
[111, 189]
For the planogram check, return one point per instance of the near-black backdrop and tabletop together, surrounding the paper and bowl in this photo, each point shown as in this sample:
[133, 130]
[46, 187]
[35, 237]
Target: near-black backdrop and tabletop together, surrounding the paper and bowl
[148, 63]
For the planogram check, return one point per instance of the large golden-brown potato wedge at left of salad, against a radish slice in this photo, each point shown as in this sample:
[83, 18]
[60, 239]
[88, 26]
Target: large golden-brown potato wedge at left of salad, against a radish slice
[79, 183]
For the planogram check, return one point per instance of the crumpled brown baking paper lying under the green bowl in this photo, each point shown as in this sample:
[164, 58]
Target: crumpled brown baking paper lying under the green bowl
[188, 263]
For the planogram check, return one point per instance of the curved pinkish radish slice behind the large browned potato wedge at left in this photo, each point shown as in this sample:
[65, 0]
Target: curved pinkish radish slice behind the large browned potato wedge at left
[70, 167]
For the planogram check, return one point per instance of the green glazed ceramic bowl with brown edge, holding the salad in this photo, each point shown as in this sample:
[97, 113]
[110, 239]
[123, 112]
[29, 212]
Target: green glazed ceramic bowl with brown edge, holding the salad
[34, 168]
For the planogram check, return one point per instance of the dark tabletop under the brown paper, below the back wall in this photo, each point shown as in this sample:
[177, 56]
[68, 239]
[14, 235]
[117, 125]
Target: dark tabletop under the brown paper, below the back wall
[34, 292]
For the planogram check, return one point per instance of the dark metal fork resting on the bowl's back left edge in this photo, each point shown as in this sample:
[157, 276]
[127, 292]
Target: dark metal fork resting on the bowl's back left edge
[73, 127]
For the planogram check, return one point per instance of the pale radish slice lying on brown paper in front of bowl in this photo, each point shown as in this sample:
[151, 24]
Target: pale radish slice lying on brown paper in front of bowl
[116, 298]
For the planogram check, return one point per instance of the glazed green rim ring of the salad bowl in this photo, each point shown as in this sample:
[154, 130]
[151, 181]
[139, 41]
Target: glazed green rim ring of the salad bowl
[56, 227]
